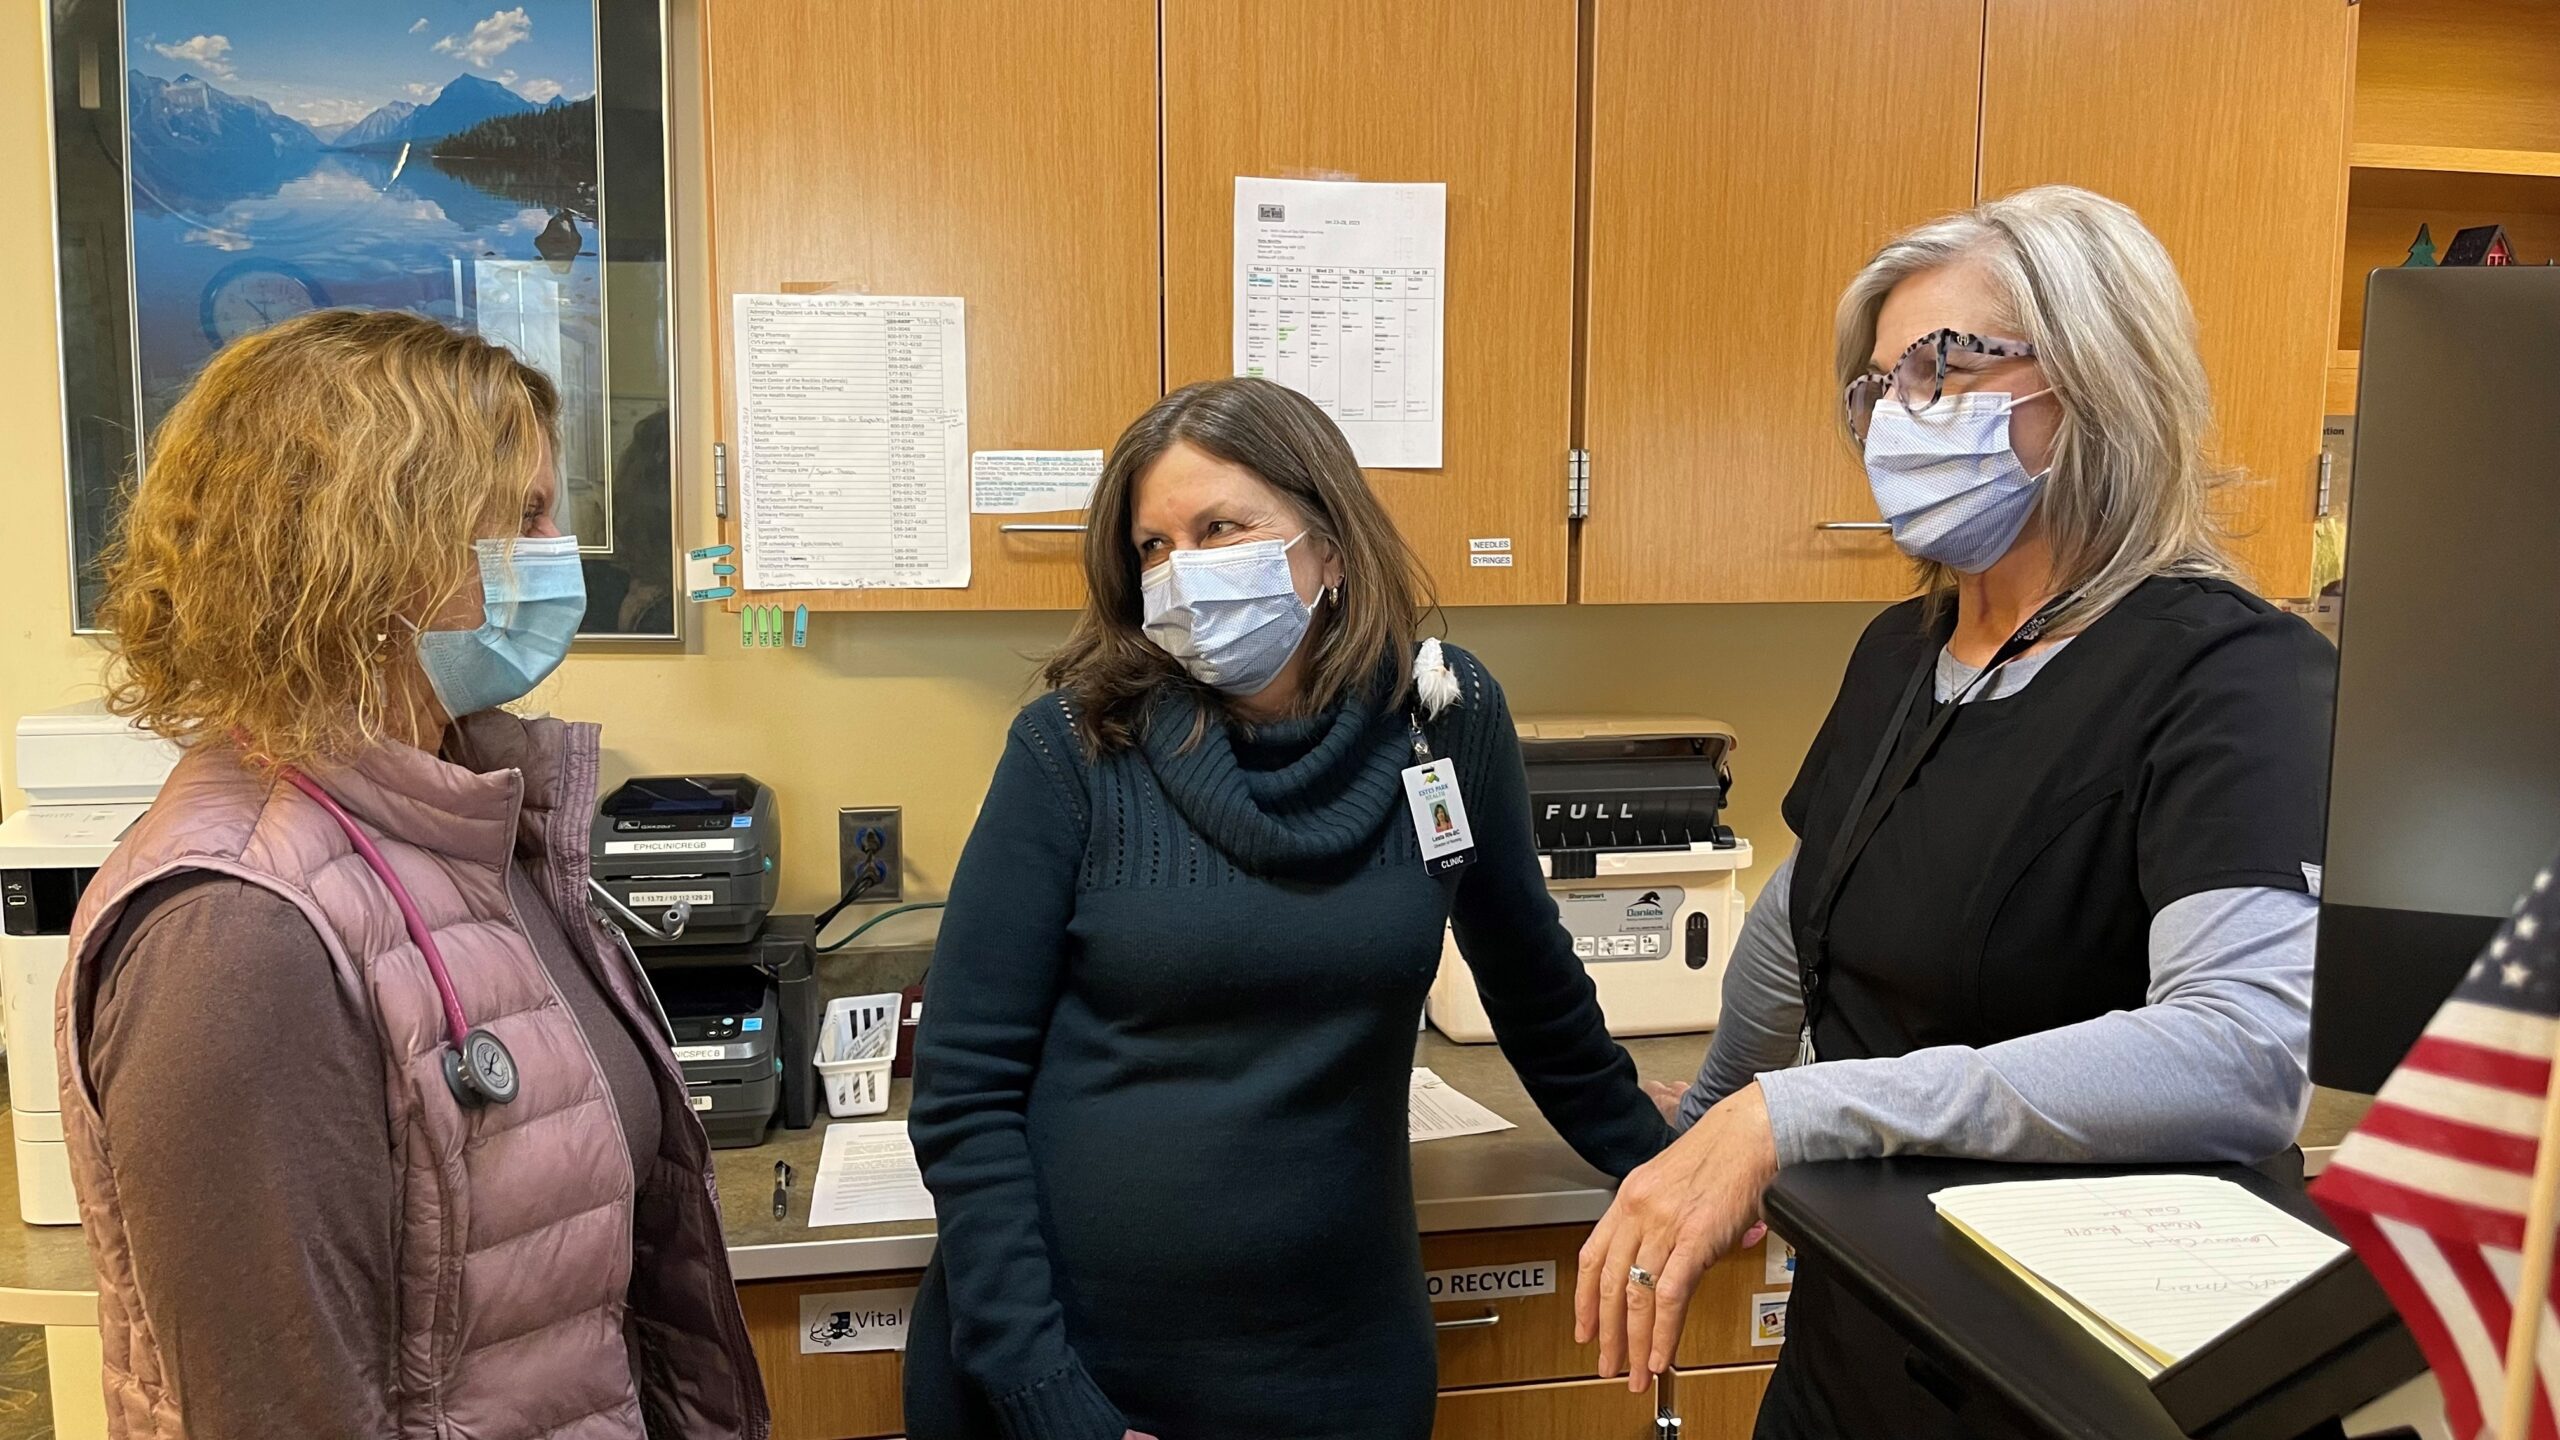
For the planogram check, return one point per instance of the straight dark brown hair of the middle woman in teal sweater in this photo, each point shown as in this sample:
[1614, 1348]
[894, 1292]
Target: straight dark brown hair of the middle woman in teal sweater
[1112, 670]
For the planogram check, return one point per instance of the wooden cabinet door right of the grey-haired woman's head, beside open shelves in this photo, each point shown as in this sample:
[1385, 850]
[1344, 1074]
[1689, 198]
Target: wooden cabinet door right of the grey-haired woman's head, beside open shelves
[2226, 127]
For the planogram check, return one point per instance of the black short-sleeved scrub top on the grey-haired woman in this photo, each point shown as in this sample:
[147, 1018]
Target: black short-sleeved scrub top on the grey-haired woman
[2180, 744]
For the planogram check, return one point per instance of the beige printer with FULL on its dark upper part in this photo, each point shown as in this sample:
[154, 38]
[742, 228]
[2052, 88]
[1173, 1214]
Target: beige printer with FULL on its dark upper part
[1627, 816]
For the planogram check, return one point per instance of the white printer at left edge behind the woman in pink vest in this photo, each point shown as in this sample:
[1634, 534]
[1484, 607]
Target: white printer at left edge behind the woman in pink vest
[88, 778]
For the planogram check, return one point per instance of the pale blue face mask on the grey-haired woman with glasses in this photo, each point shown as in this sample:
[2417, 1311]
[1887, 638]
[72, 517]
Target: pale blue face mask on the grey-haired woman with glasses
[1947, 478]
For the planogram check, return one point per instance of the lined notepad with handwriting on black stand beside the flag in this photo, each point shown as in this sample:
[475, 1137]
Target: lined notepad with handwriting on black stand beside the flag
[2159, 1262]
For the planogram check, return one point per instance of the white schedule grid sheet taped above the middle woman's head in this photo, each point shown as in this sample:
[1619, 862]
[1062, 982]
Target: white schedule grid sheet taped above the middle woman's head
[1340, 296]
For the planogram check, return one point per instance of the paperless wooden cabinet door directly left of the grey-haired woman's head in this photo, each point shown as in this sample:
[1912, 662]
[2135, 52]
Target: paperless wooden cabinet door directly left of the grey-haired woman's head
[1747, 158]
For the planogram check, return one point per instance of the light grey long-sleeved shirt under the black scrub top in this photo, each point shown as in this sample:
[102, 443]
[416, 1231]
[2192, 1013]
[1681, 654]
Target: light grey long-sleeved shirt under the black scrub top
[2211, 1067]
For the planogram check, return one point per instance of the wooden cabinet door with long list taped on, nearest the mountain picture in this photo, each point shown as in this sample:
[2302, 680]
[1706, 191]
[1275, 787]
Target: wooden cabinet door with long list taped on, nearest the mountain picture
[954, 147]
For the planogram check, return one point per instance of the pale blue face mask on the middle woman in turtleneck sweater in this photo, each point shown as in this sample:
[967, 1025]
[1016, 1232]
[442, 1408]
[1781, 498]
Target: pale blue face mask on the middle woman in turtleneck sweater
[1233, 616]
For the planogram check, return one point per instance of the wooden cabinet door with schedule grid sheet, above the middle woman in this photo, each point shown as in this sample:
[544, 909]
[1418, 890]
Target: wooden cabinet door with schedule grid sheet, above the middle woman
[1478, 96]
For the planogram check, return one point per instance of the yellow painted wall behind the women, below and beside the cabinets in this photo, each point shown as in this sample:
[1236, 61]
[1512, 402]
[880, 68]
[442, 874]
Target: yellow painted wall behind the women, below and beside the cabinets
[879, 708]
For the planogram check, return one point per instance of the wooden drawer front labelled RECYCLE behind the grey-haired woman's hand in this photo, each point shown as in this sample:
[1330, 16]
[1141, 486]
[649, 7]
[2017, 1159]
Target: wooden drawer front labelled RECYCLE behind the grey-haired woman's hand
[1514, 1339]
